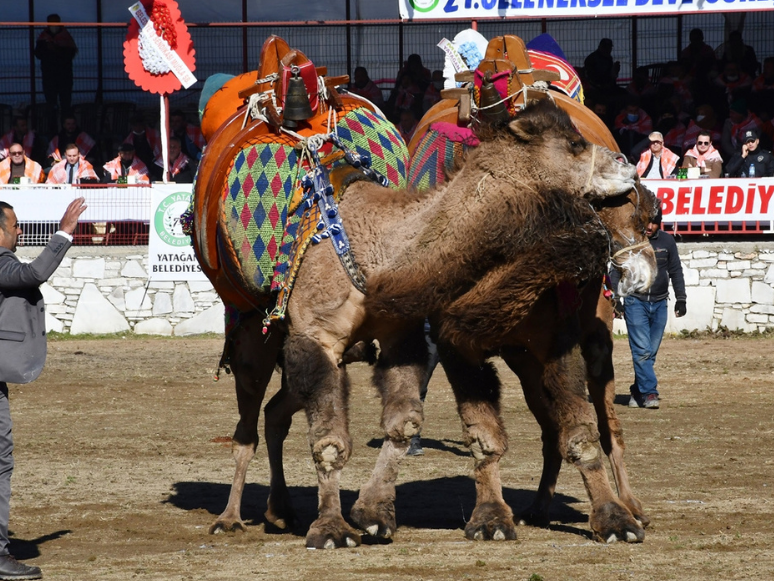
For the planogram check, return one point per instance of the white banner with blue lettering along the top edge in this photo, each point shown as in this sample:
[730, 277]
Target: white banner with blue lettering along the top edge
[479, 9]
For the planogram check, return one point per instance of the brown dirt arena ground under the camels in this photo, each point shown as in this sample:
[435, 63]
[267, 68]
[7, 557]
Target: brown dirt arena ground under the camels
[123, 462]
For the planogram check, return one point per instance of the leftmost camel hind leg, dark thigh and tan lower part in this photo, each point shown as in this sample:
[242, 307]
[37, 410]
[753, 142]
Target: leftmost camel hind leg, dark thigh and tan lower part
[253, 358]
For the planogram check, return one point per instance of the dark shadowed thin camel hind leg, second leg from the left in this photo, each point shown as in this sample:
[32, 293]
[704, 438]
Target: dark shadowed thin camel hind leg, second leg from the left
[278, 416]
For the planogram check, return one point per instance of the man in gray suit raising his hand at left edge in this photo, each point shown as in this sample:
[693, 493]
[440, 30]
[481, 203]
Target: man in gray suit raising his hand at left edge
[22, 344]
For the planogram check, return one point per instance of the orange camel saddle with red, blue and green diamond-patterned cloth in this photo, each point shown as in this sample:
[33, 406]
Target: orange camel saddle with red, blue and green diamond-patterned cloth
[283, 144]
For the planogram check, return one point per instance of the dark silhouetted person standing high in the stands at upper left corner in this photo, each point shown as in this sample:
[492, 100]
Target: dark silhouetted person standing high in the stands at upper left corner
[56, 50]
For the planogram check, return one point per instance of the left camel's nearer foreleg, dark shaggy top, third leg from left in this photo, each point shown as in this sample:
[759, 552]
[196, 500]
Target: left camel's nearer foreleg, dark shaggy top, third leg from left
[323, 388]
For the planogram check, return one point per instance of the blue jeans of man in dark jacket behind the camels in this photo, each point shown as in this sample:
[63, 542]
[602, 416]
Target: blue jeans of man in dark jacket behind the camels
[645, 323]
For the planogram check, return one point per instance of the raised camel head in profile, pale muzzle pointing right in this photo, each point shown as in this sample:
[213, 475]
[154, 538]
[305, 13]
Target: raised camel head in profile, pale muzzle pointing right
[567, 159]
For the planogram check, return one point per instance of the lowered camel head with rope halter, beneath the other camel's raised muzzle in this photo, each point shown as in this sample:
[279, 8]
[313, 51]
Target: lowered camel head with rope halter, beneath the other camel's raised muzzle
[626, 217]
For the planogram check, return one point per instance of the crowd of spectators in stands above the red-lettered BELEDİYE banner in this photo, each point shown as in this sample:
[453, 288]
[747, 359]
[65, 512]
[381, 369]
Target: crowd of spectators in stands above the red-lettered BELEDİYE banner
[711, 108]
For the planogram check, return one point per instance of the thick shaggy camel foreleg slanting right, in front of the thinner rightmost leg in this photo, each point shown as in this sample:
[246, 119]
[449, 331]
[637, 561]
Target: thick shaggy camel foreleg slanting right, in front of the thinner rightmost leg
[578, 438]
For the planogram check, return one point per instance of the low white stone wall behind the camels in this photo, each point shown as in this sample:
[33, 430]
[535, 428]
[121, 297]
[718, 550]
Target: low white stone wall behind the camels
[106, 290]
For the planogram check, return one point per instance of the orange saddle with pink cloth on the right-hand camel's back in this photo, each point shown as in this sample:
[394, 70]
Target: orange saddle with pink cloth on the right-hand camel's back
[499, 84]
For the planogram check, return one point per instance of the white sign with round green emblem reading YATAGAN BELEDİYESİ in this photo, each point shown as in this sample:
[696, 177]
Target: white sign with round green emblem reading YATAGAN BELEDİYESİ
[170, 254]
